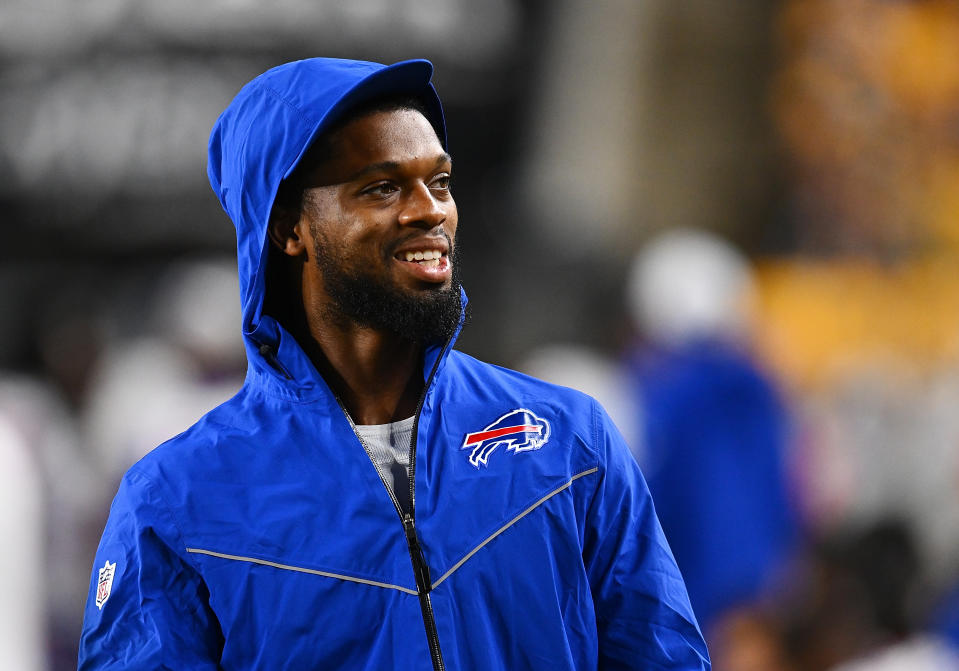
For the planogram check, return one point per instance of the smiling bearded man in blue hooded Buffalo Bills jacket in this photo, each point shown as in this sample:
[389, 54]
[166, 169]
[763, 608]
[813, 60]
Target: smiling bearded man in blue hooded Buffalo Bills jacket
[372, 499]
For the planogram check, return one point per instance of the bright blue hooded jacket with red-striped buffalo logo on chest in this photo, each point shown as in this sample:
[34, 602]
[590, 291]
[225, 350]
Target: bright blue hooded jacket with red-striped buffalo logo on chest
[264, 538]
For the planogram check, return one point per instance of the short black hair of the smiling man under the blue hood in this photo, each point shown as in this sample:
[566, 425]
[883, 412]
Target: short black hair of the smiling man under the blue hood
[289, 196]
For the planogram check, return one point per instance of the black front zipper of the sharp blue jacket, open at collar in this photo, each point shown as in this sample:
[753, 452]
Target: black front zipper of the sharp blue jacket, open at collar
[421, 569]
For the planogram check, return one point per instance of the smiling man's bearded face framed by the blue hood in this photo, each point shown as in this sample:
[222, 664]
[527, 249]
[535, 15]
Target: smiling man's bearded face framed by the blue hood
[380, 224]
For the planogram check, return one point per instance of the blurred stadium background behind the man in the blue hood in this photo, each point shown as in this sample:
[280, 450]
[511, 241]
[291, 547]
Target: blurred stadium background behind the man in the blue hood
[735, 224]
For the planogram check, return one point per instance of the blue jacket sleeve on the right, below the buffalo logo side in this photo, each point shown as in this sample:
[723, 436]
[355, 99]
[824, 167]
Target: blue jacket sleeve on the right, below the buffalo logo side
[643, 613]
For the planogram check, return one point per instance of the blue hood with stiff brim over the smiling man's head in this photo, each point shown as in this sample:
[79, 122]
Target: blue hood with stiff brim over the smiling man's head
[262, 135]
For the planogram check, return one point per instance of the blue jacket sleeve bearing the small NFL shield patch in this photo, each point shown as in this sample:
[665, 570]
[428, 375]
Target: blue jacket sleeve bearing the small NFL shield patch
[147, 607]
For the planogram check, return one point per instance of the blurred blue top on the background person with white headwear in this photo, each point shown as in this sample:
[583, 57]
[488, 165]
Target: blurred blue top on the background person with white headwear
[720, 482]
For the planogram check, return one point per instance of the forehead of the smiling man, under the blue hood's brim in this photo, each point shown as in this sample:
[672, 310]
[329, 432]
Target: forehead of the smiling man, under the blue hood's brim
[403, 137]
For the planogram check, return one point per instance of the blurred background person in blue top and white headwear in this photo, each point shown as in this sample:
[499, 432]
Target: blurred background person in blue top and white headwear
[715, 427]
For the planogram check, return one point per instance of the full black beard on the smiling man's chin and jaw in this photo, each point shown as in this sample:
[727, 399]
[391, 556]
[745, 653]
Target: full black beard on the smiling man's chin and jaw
[360, 298]
